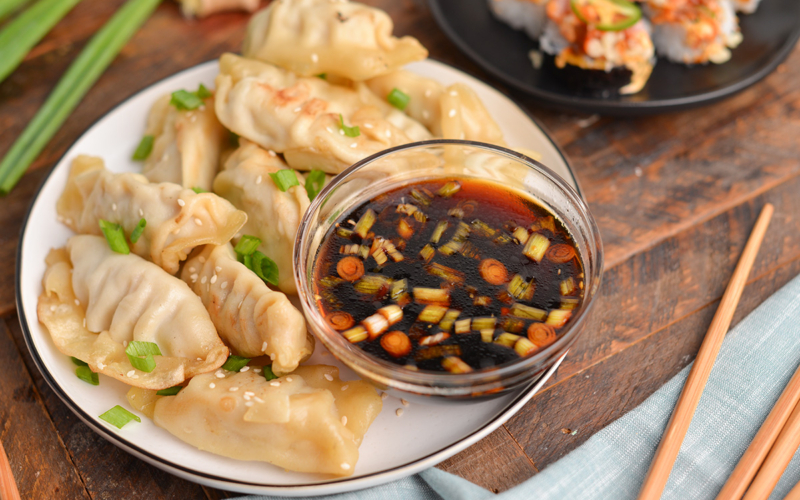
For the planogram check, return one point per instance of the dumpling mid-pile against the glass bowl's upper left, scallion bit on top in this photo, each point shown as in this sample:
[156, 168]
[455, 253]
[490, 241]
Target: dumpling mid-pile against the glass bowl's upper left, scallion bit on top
[272, 215]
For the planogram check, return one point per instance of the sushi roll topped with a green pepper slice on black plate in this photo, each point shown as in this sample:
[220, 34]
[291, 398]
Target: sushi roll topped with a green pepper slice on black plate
[599, 45]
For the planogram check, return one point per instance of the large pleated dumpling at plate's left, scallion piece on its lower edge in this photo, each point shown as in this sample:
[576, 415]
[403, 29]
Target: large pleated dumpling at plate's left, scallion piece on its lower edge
[96, 301]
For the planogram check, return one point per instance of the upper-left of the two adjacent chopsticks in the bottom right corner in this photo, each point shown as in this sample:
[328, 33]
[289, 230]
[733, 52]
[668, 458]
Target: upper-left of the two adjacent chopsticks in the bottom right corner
[753, 457]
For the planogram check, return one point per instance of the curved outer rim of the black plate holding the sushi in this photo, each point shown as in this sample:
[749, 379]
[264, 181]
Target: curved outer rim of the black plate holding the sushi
[603, 106]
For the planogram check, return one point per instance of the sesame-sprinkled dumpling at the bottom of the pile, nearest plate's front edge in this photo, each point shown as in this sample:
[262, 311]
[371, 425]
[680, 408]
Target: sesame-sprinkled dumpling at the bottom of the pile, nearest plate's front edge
[308, 421]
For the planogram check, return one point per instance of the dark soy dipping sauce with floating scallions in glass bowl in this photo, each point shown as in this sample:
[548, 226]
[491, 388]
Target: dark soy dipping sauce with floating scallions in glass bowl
[497, 207]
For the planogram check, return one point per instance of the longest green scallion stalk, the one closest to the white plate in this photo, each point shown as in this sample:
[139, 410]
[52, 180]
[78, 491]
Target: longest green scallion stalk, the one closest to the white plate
[79, 78]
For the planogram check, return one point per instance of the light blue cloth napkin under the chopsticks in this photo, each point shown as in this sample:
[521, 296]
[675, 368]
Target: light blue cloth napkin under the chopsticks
[755, 363]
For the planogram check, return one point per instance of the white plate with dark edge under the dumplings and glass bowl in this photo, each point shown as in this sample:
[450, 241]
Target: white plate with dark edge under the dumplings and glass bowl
[393, 448]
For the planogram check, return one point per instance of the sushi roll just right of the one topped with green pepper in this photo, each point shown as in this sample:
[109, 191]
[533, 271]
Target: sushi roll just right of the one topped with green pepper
[694, 31]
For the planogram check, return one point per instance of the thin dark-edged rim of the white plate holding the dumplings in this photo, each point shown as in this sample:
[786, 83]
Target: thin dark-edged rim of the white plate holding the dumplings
[326, 486]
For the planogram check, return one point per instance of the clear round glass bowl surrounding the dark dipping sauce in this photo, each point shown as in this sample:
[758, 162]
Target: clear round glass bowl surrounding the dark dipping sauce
[436, 159]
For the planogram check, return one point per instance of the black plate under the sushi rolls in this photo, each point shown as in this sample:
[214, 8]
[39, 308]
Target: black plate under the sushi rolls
[769, 36]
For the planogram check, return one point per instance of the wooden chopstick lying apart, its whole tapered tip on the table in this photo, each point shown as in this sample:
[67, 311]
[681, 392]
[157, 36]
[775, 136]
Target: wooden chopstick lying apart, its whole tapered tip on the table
[678, 424]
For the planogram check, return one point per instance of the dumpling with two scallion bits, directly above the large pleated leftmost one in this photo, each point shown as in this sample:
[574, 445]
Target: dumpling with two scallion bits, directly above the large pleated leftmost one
[178, 219]
